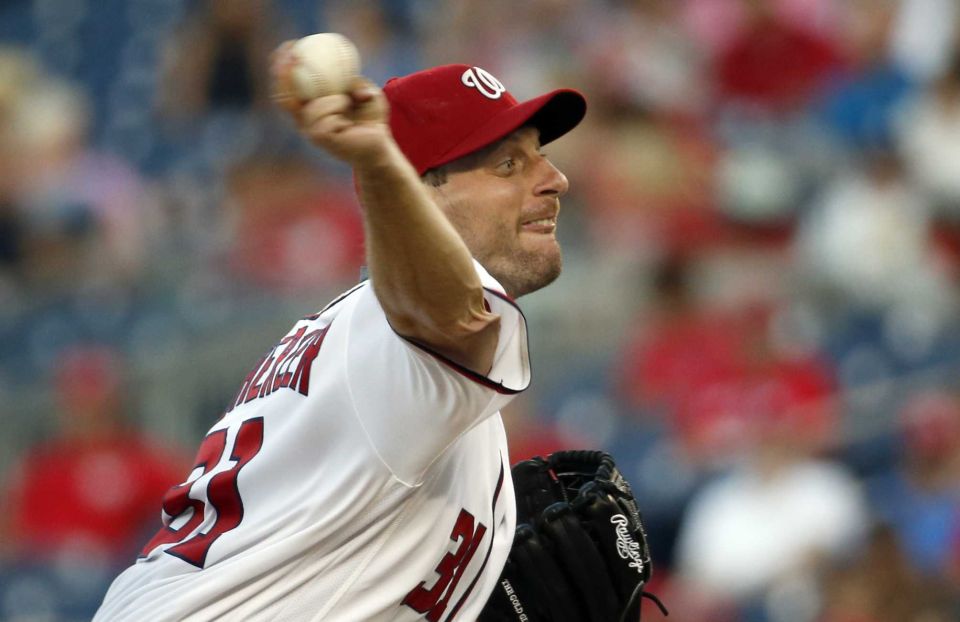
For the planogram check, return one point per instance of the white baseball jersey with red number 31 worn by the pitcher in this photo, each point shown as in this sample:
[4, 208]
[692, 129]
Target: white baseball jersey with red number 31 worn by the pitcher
[356, 476]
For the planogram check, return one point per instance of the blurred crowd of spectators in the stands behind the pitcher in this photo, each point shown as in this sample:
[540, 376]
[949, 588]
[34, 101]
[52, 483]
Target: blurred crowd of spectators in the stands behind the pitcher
[758, 314]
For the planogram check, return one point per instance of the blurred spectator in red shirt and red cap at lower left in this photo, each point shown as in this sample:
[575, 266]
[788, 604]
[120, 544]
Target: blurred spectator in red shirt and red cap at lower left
[91, 490]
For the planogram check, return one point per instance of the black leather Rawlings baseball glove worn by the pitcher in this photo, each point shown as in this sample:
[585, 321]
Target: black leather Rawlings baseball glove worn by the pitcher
[580, 552]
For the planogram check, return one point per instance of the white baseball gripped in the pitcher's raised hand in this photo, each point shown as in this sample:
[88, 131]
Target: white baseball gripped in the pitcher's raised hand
[328, 61]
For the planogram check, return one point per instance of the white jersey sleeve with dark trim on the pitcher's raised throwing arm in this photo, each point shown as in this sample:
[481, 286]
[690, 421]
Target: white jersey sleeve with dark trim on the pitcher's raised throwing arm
[412, 402]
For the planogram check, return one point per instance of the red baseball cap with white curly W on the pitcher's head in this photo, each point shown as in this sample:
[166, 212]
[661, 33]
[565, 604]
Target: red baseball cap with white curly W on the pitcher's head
[438, 115]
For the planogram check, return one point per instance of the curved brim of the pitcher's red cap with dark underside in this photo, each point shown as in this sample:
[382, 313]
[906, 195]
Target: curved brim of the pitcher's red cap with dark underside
[554, 114]
